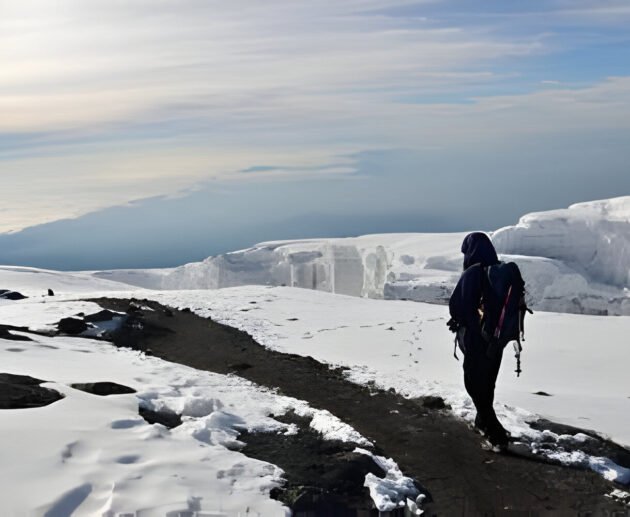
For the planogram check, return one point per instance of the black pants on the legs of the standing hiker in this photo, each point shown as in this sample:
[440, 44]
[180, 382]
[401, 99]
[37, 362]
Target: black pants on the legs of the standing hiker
[480, 376]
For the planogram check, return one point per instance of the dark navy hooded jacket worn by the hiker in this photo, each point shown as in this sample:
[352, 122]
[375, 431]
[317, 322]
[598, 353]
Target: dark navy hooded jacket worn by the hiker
[464, 303]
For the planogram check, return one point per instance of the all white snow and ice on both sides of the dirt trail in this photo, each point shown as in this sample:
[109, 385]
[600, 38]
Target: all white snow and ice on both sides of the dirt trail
[97, 456]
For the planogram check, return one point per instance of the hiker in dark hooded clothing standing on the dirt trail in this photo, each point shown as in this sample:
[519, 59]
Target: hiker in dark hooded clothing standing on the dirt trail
[482, 355]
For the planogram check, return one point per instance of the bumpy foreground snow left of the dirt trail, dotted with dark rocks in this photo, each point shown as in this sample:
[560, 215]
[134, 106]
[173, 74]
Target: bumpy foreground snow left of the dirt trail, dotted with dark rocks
[99, 457]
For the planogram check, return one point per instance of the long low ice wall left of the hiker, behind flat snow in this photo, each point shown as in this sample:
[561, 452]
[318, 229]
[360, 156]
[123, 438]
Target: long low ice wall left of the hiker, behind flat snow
[374, 266]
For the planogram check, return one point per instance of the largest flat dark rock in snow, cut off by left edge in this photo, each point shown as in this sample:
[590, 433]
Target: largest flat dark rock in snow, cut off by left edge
[21, 392]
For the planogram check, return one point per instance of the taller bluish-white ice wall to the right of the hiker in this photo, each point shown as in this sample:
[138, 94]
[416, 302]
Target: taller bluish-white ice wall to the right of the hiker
[576, 259]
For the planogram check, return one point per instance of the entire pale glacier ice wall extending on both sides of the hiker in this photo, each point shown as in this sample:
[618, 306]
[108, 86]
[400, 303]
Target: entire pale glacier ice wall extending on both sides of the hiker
[575, 260]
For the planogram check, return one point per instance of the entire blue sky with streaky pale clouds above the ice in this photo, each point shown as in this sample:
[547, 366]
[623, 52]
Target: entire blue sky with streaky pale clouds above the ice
[149, 133]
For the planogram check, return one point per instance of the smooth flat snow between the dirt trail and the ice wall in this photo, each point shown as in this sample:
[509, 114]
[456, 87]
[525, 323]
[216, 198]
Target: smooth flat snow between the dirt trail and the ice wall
[406, 346]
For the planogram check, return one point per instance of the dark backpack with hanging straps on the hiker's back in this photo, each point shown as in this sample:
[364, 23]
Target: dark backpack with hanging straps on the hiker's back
[503, 308]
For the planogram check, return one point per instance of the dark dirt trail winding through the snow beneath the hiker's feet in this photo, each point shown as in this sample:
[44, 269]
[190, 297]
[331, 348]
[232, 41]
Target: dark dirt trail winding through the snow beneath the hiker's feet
[438, 450]
